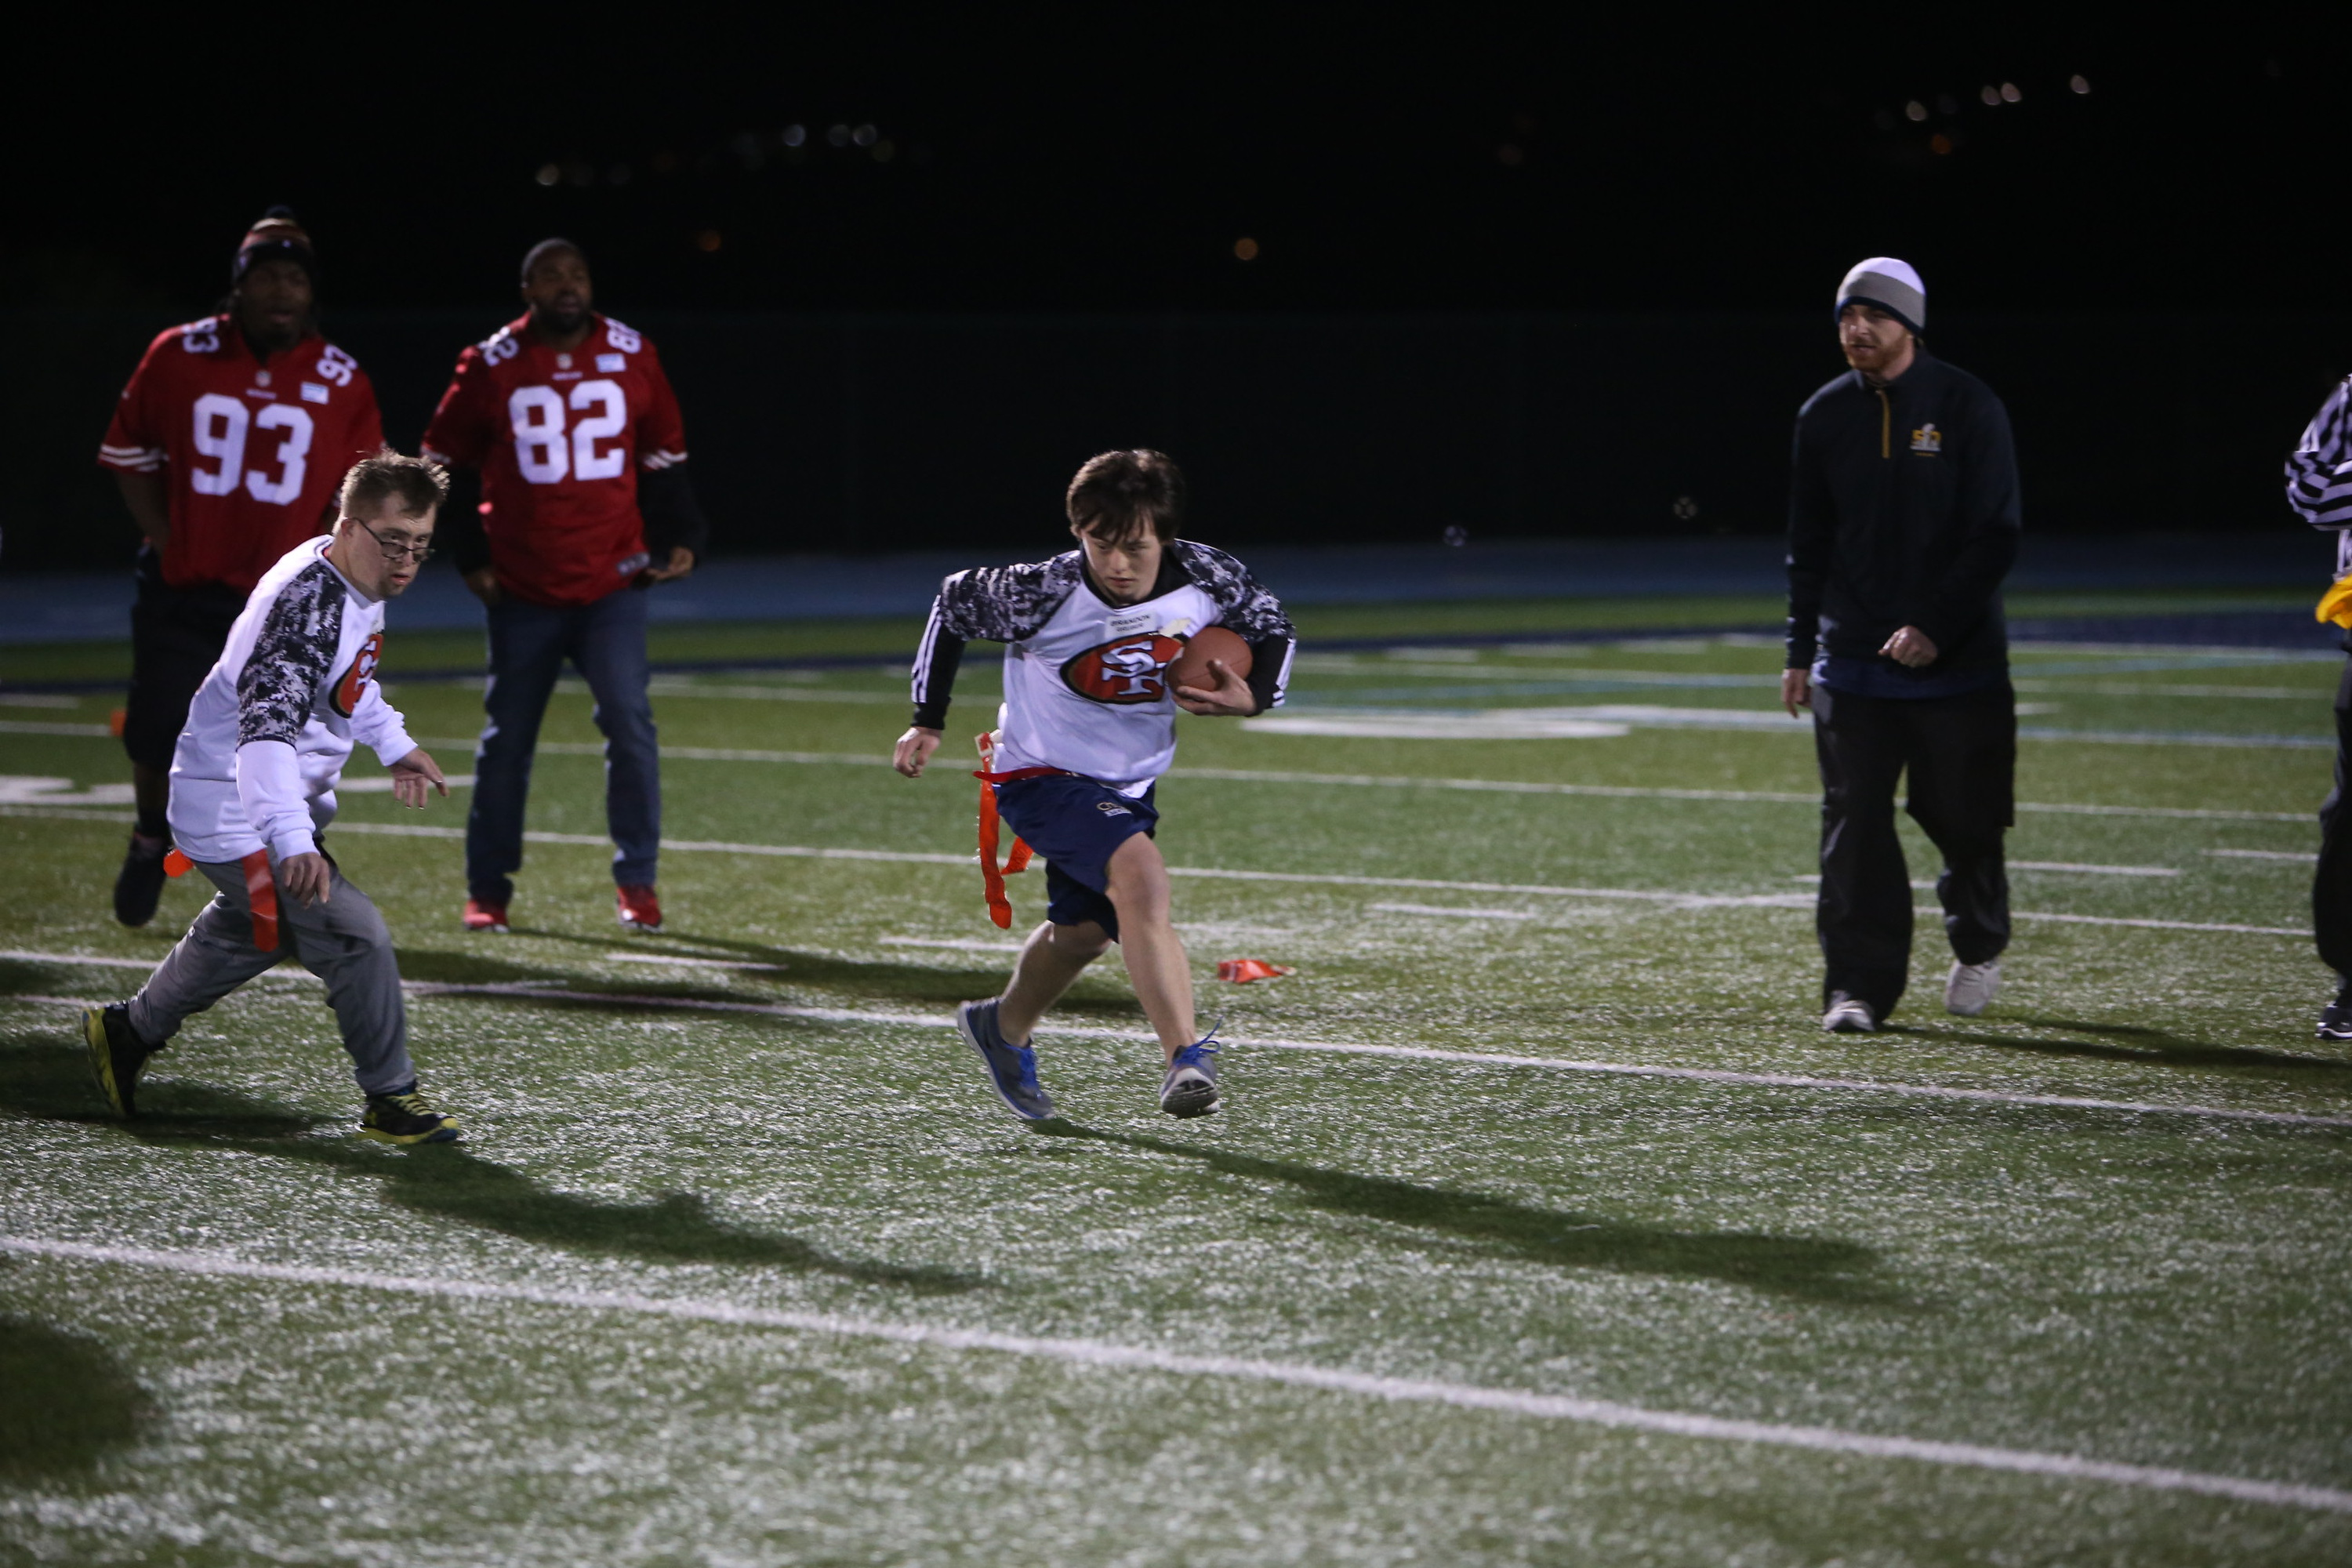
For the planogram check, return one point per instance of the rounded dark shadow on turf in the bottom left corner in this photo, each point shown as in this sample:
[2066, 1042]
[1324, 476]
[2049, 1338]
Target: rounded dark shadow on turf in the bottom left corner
[69, 1402]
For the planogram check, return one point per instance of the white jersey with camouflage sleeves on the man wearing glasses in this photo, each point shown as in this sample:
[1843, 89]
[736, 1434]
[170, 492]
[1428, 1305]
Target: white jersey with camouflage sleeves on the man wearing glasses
[276, 721]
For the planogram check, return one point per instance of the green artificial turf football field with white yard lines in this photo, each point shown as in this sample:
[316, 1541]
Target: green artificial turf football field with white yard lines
[789, 1127]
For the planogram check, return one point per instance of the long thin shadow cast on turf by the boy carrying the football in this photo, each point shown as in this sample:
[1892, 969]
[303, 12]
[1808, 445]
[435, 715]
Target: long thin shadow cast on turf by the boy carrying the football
[1789, 1266]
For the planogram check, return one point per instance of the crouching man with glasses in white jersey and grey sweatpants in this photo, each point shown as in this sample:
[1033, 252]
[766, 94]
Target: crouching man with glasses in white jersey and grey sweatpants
[253, 791]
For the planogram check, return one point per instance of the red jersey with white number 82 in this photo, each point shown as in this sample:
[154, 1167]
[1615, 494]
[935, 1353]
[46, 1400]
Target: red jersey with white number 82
[561, 438]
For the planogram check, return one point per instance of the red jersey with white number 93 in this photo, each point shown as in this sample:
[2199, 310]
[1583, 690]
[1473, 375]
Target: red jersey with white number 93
[253, 453]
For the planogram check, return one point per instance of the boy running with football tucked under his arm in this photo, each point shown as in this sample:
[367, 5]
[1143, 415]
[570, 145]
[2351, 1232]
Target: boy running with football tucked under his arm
[1085, 732]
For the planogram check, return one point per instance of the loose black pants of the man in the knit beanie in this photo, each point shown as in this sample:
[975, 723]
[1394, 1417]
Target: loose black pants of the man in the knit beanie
[1963, 758]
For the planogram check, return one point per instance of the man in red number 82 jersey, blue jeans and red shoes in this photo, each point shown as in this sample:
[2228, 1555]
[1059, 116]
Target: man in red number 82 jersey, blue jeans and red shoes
[575, 434]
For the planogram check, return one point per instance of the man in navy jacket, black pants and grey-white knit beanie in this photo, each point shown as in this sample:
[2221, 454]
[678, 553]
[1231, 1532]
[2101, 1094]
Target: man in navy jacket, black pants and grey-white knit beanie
[1904, 521]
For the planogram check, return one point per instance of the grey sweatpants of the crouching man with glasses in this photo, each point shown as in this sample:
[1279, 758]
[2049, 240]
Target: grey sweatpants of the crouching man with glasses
[340, 939]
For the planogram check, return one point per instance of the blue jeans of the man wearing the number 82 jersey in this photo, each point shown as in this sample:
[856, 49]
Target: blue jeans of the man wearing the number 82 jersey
[528, 650]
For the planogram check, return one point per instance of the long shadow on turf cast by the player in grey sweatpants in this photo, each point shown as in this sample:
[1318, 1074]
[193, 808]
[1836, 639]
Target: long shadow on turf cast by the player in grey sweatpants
[51, 1083]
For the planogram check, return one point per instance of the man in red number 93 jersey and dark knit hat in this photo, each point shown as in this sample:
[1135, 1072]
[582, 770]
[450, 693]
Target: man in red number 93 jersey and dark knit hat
[229, 445]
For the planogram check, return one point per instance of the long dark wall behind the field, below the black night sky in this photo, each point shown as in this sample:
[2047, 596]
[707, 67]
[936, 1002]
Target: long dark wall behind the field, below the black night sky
[857, 434]
